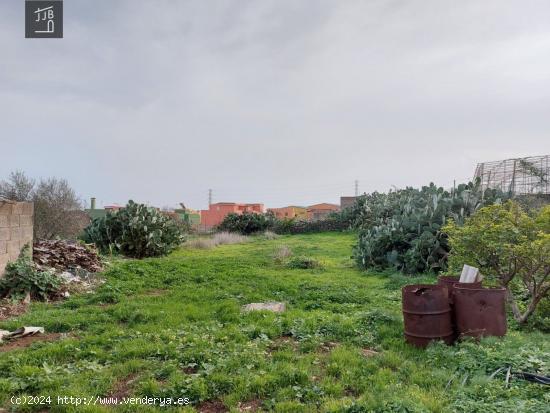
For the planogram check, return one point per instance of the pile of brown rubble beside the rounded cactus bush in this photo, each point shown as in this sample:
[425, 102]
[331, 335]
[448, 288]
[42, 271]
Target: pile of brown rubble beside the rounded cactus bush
[65, 256]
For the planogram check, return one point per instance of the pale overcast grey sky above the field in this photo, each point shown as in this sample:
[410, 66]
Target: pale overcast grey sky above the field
[280, 102]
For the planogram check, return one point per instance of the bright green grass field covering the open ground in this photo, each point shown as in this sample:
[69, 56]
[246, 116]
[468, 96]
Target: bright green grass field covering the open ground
[173, 327]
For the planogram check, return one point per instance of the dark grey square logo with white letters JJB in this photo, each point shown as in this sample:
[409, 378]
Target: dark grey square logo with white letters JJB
[43, 19]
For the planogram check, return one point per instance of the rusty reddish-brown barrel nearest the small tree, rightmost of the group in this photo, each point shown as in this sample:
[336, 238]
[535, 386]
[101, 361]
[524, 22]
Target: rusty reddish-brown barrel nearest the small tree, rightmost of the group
[480, 311]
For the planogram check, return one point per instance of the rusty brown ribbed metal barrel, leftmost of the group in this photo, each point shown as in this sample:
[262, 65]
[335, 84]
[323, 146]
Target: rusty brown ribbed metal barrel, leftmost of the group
[426, 314]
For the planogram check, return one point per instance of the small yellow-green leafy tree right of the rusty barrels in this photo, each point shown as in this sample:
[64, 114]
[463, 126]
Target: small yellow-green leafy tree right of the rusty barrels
[506, 243]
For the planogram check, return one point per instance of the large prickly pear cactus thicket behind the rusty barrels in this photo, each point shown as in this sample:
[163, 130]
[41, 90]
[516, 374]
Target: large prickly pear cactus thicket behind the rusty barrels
[402, 229]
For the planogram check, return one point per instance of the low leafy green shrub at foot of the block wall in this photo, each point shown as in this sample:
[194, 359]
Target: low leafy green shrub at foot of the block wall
[22, 278]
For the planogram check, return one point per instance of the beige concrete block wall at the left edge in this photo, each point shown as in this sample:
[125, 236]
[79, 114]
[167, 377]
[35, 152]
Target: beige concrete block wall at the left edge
[16, 229]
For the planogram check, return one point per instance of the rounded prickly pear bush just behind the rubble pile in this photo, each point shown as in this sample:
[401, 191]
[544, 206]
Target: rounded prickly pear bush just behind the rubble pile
[135, 231]
